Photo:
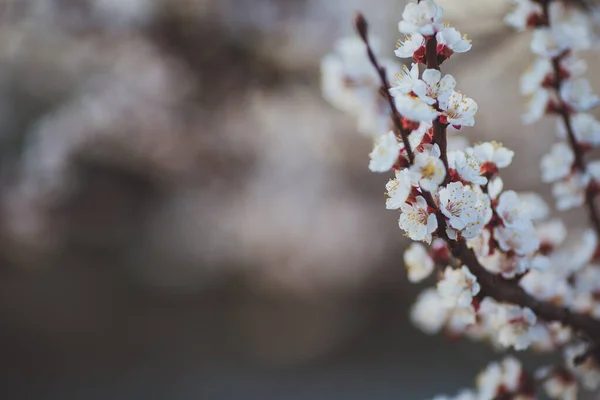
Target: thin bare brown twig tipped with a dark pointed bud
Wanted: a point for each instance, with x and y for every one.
(363, 30)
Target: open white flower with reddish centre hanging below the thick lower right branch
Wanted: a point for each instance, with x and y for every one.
(513, 326)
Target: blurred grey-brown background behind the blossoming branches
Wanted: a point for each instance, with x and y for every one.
(182, 216)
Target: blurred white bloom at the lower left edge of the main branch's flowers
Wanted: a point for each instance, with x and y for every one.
(429, 313)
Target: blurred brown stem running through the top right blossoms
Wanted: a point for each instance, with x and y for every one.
(563, 111)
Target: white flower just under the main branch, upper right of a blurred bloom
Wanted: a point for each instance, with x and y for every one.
(457, 287)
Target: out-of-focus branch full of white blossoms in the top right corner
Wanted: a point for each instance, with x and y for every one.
(555, 86)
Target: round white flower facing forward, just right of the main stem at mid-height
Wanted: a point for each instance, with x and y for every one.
(459, 205)
